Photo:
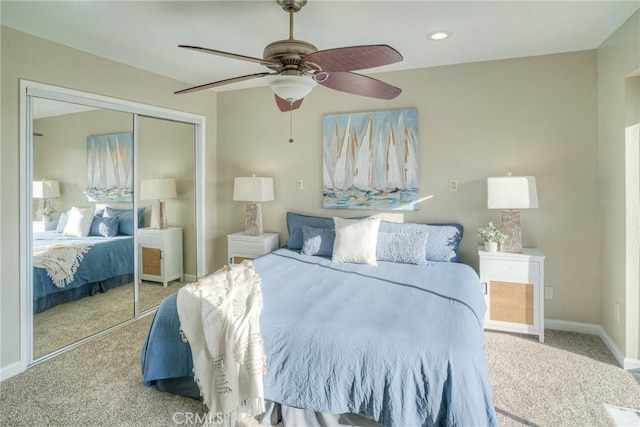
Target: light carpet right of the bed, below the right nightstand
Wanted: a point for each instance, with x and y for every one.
(564, 382)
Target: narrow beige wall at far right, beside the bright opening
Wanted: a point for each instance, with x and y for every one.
(618, 57)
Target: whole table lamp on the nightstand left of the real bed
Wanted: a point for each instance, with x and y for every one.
(253, 190)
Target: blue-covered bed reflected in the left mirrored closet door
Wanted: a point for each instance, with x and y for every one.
(107, 263)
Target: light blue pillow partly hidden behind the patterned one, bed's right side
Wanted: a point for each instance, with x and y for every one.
(443, 242)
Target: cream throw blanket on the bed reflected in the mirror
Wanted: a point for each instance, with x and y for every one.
(61, 261)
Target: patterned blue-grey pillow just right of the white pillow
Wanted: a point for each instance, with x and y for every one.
(406, 248)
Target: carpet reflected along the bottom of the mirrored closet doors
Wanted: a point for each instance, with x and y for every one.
(68, 323)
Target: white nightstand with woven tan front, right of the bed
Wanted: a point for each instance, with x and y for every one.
(514, 290)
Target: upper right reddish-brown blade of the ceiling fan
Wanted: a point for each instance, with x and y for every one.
(354, 57)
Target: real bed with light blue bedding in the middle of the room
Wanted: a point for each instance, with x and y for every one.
(400, 344)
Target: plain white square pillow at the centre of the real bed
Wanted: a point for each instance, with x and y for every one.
(356, 240)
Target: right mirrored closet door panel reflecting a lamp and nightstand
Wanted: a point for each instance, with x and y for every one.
(165, 169)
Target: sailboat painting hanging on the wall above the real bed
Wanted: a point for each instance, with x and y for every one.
(370, 160)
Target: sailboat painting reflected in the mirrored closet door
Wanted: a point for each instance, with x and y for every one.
(110, 168)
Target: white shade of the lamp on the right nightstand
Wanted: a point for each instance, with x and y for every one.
(512, 192)
